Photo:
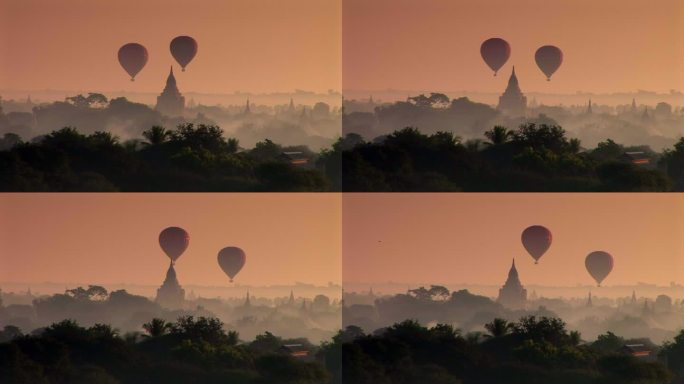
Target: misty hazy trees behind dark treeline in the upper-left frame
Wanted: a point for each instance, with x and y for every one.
(315, 126)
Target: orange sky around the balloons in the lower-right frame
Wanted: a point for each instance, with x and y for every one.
(471, 238)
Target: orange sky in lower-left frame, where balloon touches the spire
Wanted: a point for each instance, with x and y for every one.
(113, 238)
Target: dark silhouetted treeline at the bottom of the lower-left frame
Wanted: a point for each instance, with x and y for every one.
(191, 350)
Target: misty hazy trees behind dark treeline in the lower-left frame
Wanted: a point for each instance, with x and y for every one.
(315, 318)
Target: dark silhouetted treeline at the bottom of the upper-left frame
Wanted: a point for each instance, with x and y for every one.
(188, 158)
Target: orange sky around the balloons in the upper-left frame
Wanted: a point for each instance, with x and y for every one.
(246, 45)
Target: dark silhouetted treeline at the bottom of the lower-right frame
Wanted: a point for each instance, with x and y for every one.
(532, 350)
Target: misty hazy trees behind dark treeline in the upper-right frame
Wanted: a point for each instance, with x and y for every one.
(658, 125)
